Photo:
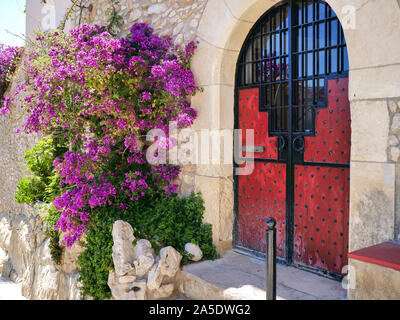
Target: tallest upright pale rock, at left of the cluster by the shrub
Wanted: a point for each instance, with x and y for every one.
(122, 250)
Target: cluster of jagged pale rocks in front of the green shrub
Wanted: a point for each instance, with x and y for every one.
(140, 274)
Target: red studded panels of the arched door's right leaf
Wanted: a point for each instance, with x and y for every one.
(321, 208)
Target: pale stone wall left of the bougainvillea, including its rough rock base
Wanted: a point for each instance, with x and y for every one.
(24, 248)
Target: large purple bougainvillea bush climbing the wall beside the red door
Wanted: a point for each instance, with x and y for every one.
(103, 94)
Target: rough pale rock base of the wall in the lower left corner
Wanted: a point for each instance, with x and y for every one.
(30, 263)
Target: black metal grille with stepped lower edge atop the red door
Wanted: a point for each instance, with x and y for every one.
(289, 54)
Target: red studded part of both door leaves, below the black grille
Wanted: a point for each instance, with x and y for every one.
(300, 179)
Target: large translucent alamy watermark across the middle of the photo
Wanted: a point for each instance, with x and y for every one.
(204, 147)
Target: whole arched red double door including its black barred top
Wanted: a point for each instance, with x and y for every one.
(292, 89)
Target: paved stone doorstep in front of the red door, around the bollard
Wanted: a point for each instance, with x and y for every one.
(243, 277)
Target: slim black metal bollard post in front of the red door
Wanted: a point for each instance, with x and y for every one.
(270, 261)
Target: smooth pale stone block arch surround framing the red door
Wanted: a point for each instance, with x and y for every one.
(373, 78)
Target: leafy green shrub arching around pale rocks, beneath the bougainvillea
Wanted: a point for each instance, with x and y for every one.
(163, 220)
